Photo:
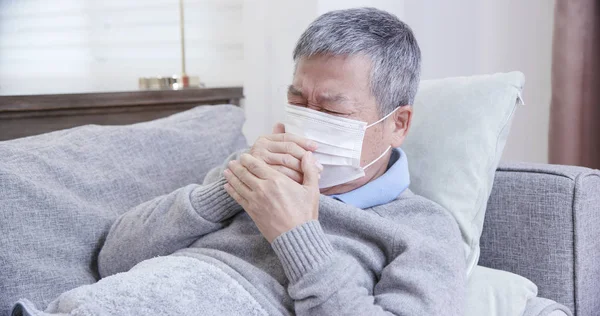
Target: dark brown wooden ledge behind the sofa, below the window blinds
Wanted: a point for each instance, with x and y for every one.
(28, 115)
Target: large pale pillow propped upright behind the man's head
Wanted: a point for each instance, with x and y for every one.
(458, 132)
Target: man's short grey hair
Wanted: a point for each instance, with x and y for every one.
(387, 41)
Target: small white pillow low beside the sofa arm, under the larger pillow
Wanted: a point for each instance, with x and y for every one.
(498, 293)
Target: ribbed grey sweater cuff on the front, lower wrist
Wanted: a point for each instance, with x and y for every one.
(302, 249)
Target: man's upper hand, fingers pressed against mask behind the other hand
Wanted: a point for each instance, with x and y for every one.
(283, 152)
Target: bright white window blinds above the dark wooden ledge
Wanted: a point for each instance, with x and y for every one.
(105, 45)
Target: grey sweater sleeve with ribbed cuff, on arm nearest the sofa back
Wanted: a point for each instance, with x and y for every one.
(167, 223)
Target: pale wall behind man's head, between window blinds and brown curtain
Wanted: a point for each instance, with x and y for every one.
(461, 37)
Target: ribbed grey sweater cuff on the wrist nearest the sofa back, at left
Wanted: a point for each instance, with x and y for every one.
(213, 203)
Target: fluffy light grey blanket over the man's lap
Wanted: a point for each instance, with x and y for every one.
(169, 285)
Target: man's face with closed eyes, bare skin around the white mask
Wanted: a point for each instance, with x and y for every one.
(340, 86)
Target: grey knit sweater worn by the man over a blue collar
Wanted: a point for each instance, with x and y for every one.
(402, 258)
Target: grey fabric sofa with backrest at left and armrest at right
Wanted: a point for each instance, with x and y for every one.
(60, 192)
